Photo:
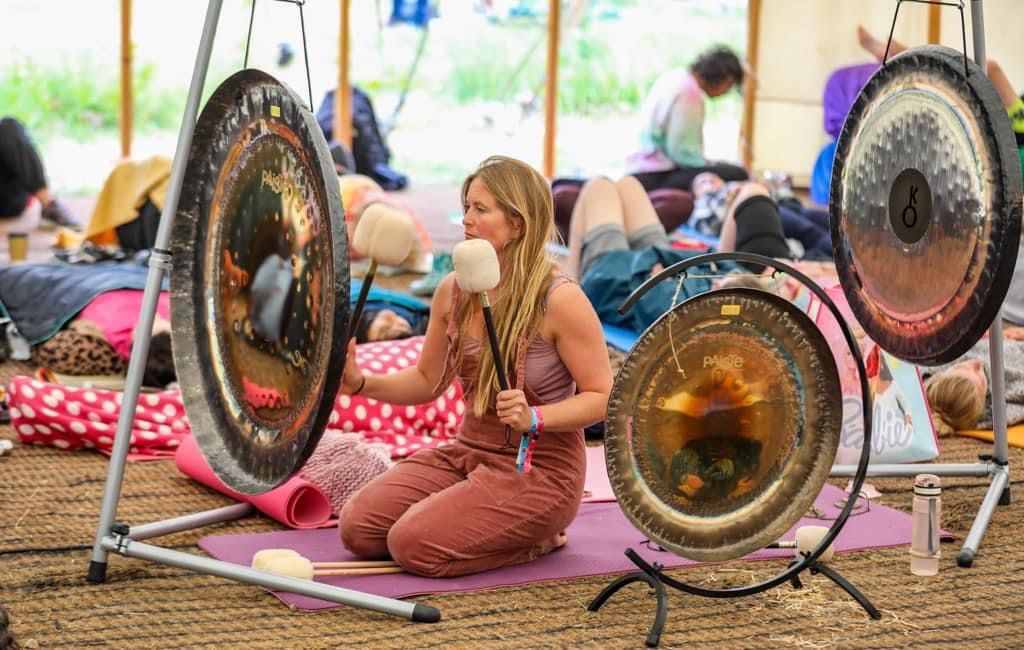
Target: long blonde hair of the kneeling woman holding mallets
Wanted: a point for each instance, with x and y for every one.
(525, 197)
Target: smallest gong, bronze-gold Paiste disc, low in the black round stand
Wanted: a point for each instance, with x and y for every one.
(721, 458)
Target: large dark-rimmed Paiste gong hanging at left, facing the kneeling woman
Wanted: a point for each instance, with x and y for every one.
(260, 284)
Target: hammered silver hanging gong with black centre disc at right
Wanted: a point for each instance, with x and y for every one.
(926, 206)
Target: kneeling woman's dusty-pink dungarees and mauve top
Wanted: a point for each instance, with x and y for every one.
(464, 508)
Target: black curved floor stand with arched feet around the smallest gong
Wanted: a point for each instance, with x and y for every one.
(653, 574)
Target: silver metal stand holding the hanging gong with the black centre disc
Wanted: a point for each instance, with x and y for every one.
(996, 466)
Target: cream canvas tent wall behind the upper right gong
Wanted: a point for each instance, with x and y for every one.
(798, 44)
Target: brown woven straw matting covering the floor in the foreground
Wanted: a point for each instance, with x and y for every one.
(50, 504)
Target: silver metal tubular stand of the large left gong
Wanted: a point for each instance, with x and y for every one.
(113, 537)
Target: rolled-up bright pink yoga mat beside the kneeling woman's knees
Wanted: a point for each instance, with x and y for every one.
(297, 503)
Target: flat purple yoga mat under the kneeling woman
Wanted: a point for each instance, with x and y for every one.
(598, 541)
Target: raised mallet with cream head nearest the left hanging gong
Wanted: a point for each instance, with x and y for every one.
(387, 237)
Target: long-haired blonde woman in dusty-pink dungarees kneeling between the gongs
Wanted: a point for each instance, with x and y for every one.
(467, 508)
